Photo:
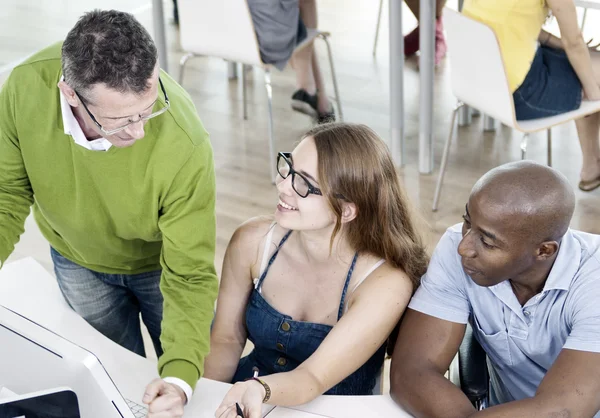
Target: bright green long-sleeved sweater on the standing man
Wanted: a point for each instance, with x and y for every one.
(122, 211)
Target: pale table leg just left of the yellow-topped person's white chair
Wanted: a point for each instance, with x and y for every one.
(427, 47)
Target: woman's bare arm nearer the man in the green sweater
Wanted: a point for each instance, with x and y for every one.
(228, 334)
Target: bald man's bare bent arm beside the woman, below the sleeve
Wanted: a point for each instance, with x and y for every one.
(425, 348)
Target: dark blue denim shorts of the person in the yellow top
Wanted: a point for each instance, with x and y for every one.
(550, 88)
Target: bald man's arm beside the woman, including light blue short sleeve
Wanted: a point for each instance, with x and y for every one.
(430, 335)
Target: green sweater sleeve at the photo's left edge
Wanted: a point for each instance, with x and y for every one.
(16, 196)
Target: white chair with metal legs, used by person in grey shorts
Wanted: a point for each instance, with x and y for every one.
(224, 29)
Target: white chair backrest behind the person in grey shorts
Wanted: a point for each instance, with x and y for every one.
(218, 28)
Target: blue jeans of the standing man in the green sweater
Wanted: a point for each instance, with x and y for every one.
(102, 301)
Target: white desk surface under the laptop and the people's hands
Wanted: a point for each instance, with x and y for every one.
(28, 289)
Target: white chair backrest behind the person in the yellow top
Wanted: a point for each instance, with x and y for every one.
(477, 69)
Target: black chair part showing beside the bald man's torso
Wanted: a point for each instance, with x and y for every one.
(473, 374)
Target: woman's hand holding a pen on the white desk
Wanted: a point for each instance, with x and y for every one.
(248, 395)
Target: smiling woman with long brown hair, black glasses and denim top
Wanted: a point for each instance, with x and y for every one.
(318, 288)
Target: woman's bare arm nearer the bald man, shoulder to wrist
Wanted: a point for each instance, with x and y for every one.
(375, 308)
